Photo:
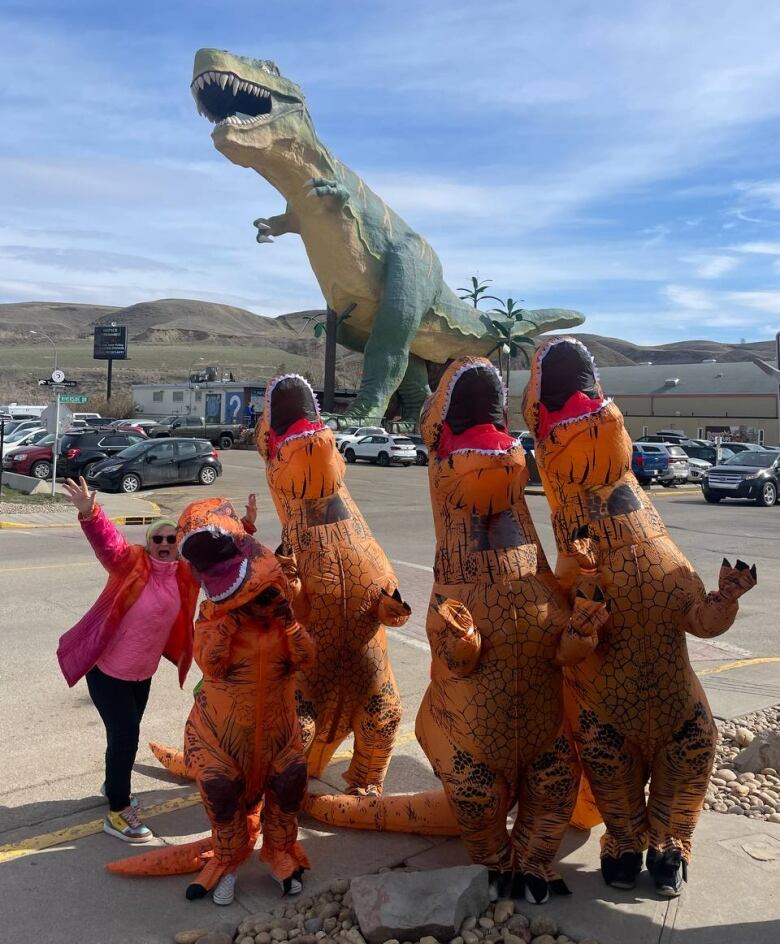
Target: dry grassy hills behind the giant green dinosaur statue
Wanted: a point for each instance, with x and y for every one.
(170, 336)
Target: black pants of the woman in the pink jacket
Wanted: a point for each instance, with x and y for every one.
(121, 705)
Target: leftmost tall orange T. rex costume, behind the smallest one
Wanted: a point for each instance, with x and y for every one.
(347, 591)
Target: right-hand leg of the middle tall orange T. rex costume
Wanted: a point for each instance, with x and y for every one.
(548, 791)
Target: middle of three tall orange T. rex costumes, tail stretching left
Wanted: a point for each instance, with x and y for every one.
(492, 720)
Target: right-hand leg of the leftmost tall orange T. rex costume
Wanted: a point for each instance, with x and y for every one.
(375, 724)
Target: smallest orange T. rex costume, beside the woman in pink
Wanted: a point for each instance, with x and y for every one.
(242, 739)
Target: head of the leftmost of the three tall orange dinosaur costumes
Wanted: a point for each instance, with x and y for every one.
(300, 452)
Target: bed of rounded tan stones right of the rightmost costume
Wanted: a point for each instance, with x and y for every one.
(746, 776)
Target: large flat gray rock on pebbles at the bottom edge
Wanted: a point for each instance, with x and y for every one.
(410, 905)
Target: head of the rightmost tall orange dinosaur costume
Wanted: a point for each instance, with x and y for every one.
(568, 415)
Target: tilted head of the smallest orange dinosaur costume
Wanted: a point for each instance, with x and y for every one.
(230, 566)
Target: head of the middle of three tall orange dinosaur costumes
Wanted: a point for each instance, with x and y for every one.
(471, 454)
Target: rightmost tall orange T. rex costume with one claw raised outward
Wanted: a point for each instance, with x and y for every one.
(639, 712)
